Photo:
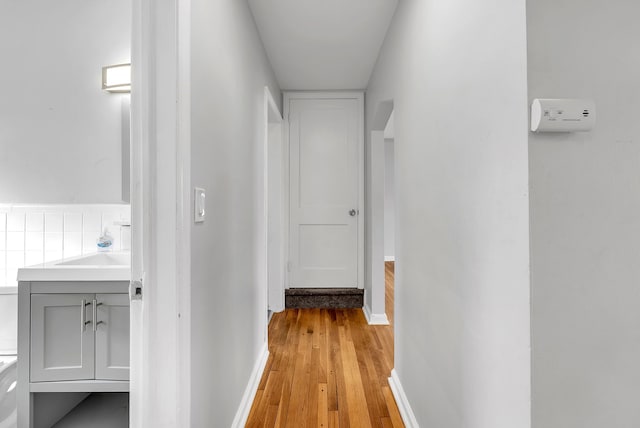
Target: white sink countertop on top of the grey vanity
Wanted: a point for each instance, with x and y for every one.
(109, 266)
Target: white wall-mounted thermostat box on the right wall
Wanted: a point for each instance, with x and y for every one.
(562, 115)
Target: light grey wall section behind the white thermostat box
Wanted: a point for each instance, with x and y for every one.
(585, 217)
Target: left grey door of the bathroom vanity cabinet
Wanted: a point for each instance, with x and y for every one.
(62, 340)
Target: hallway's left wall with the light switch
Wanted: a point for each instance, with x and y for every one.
(229, 72)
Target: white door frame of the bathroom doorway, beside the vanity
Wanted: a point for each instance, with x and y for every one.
(160, 378)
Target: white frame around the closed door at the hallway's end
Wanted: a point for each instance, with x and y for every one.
(359, 96)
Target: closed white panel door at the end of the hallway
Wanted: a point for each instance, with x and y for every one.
(324, 151)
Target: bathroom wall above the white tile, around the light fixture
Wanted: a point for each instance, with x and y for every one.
(60, 134)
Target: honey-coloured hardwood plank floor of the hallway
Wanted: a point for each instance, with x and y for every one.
(327, 368)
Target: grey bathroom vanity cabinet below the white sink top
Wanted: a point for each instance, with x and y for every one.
(73, 339)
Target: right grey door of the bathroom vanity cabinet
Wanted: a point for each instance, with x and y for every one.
(112, 336)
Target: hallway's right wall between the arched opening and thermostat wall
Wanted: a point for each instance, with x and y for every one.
(462, 289)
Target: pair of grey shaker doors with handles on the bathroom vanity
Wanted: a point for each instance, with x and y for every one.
(79, 337)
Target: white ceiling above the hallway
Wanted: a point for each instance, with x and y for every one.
(322, 44)
